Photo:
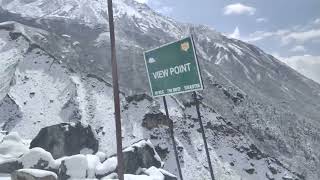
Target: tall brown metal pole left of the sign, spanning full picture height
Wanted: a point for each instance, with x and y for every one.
(116, 97)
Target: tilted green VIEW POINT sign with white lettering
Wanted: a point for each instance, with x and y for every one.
(173, 68)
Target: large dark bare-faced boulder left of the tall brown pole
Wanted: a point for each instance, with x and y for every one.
(66, 140)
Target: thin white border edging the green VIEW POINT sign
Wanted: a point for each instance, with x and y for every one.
(197, 66)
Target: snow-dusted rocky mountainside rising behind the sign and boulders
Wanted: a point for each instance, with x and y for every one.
(262, 117)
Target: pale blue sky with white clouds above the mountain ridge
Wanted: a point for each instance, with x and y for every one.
(287, 29)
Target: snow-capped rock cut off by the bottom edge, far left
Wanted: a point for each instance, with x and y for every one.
(33, 174)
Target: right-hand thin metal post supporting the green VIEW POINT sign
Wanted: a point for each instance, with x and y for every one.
(203, 134)
